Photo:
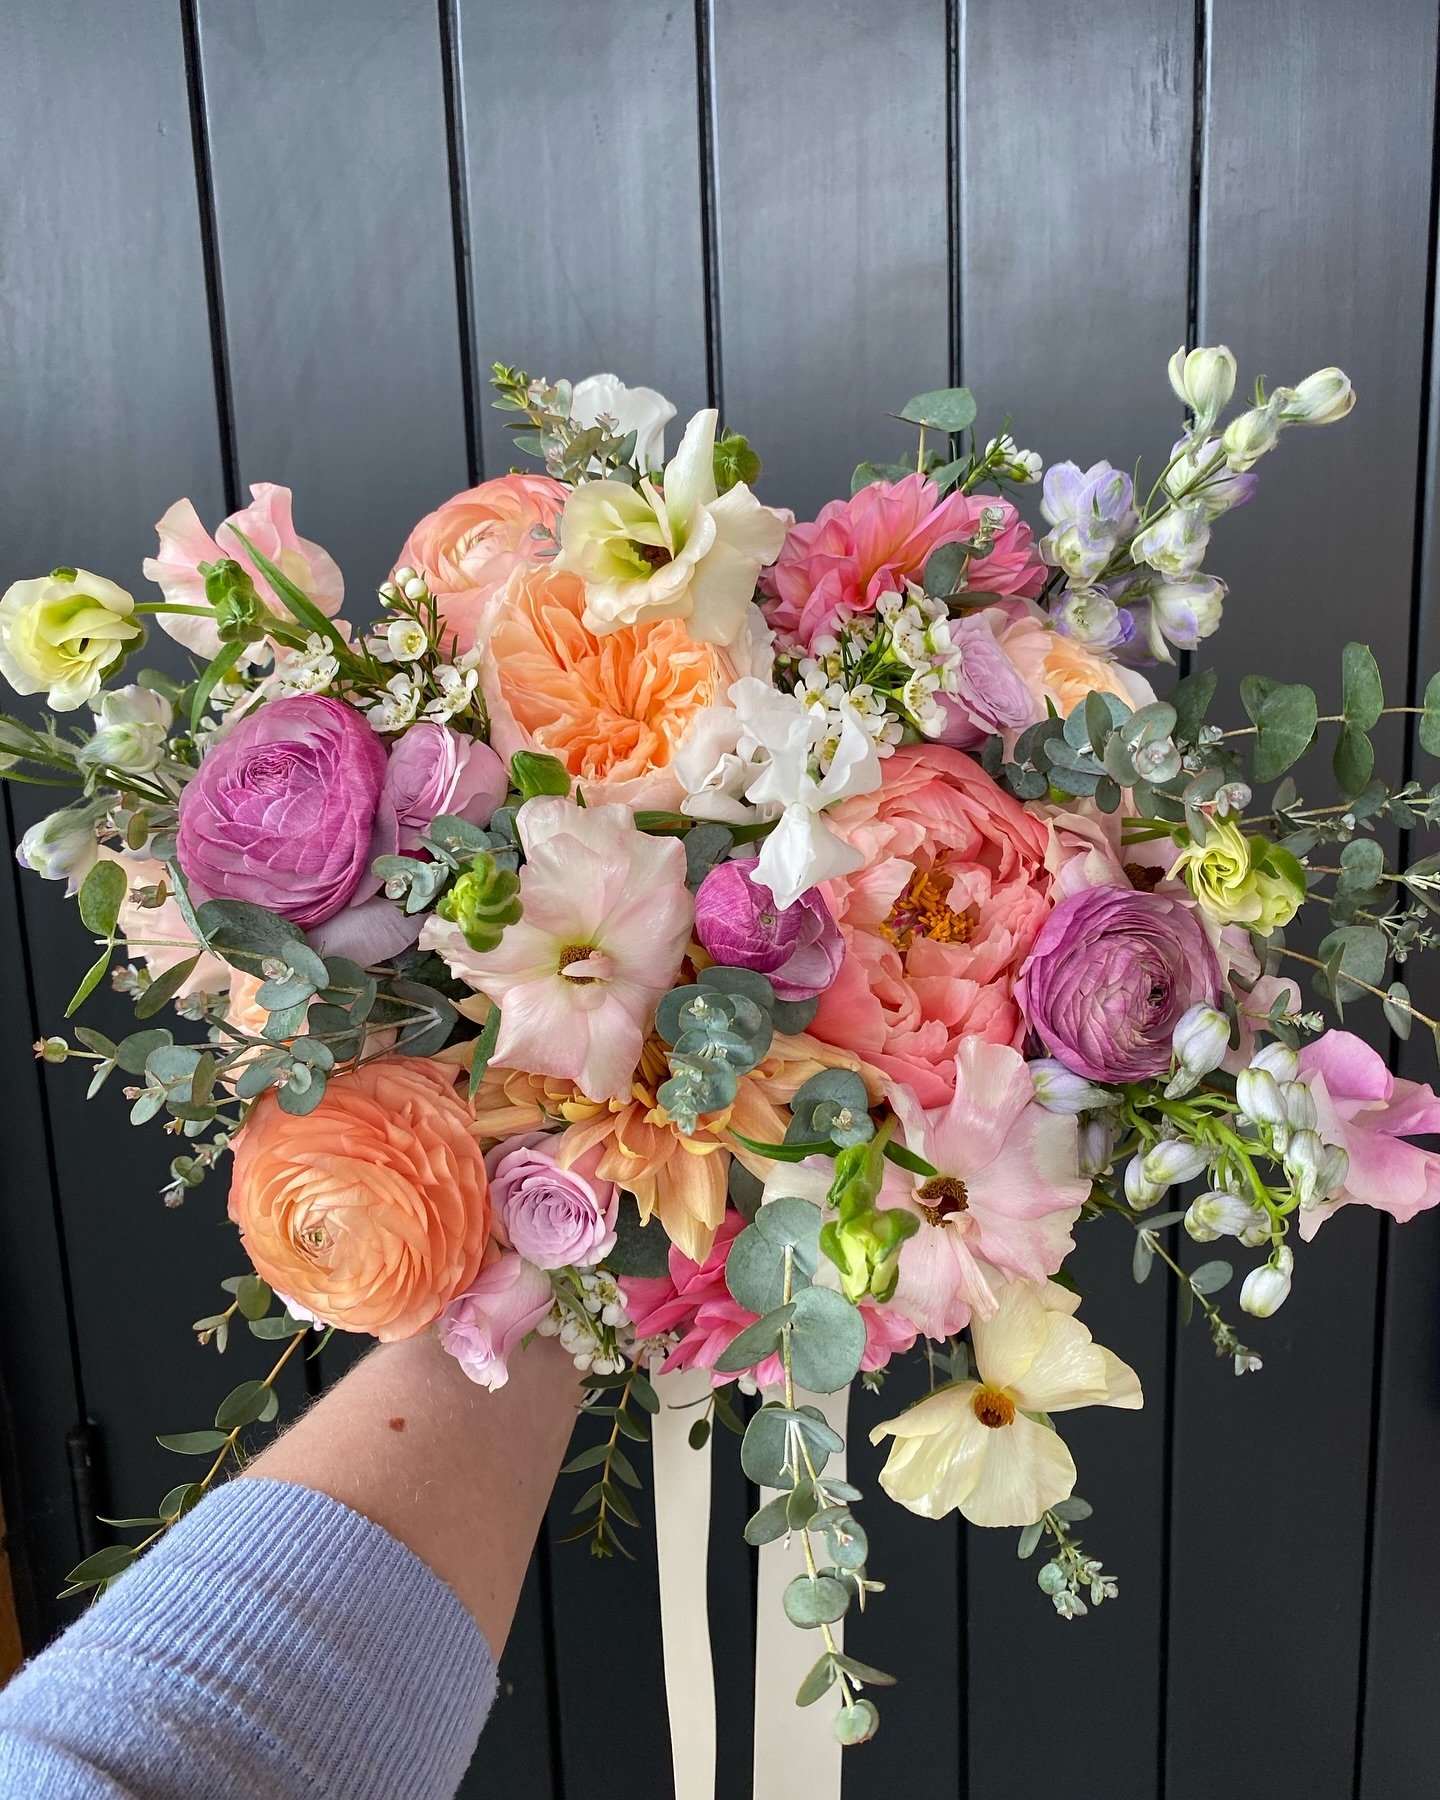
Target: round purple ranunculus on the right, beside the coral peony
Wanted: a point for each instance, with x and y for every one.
(1110, 978)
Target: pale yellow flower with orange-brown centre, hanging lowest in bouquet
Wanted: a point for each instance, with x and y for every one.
(971, 1448)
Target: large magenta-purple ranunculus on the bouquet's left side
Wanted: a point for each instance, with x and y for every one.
(283, 809)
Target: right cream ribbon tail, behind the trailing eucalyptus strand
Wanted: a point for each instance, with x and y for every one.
(796, 1750)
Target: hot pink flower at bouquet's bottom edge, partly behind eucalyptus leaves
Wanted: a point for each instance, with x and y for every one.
(694, 1302)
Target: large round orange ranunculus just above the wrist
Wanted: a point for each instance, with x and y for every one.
(373, 1210)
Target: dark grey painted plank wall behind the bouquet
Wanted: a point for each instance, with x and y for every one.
(285, 238)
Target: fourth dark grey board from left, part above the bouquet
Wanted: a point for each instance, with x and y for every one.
(832, 219)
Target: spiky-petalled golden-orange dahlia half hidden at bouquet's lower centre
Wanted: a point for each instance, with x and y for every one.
(679, 1178)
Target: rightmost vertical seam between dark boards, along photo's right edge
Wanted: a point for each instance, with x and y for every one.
(1421, 564)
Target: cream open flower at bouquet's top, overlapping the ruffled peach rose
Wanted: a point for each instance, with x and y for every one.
(678, 552)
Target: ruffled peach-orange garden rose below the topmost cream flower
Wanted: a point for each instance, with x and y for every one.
(613, 708)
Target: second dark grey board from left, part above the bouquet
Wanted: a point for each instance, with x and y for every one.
(332, 201)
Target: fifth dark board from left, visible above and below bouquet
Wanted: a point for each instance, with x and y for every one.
(1074, 256)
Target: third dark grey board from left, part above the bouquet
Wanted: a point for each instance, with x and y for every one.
(584, 195)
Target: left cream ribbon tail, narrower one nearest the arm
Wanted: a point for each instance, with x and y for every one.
(683, 1556)
